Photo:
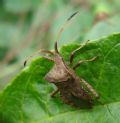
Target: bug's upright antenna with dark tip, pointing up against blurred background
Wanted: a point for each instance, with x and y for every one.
(62, 29)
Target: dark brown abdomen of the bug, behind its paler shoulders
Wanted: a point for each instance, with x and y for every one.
(74, 95)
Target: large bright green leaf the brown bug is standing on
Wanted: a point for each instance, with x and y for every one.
(27, 98)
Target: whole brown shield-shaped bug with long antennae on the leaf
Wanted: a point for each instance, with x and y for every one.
(74, 90)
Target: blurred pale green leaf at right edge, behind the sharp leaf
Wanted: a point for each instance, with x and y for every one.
(104, 28)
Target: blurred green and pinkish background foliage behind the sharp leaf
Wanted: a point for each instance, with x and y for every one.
(29, 25)
